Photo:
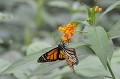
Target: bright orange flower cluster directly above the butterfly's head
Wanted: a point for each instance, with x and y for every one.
(68, 31)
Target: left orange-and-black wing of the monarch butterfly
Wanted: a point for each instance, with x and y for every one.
(51, 55)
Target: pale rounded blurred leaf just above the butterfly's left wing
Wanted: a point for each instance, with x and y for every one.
(37, 46)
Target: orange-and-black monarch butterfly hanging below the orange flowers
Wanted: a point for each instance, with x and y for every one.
(62, 52)
